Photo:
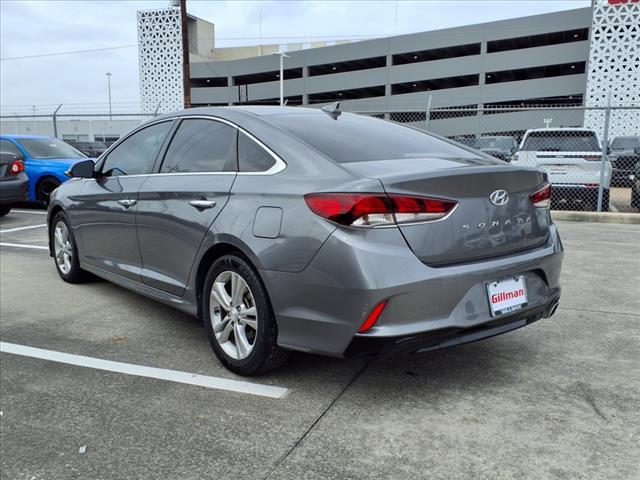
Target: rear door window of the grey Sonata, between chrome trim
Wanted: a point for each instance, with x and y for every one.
(202, 145)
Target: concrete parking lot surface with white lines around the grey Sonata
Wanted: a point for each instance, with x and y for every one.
(558, 399)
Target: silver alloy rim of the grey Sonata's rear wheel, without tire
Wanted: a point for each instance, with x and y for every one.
(234, 317)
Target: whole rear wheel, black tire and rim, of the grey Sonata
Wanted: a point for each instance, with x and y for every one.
(242, 330)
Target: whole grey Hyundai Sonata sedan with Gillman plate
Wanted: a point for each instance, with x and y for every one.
(303, 229)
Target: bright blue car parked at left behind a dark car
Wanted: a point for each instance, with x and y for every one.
(45, 161)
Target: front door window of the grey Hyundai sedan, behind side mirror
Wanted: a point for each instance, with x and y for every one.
(137, 154)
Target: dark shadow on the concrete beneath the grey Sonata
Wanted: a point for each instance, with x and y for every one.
(488, 364)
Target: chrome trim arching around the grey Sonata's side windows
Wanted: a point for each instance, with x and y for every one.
(278, 167)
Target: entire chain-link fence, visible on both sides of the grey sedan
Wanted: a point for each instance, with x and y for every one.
(590, 154)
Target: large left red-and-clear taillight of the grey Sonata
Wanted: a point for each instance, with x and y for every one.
(377, 209)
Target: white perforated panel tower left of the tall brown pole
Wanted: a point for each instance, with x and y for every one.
(160, 59)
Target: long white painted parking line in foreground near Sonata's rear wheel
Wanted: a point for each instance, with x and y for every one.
(143, 371)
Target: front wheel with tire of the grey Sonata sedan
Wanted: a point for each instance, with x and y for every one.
(65, 251)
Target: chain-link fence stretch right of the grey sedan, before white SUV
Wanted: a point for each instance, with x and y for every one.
(591, 155)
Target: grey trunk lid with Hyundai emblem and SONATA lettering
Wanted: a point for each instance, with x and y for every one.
(477, 229)
